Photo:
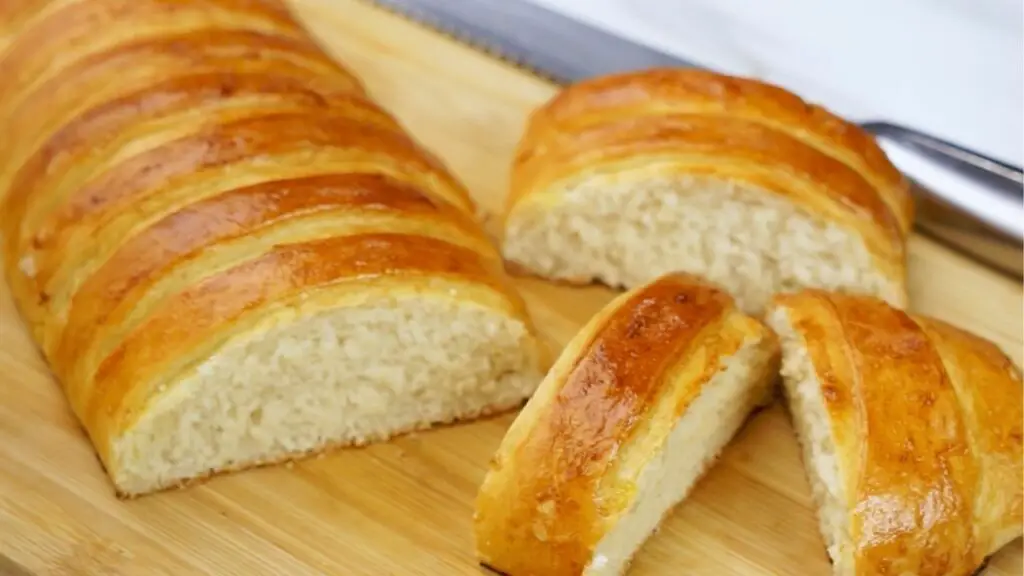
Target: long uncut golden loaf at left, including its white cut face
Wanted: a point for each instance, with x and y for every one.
(229, 254)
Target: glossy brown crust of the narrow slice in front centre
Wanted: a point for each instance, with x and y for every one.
(568, 467)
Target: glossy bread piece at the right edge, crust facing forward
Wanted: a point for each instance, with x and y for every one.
(912, 435)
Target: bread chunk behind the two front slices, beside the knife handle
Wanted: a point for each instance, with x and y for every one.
(625, 178)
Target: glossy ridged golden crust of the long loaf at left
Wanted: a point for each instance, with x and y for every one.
(173, 171)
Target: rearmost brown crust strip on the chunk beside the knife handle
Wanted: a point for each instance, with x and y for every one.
(653, 94)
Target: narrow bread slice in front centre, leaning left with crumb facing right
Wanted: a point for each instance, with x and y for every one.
(635, 410)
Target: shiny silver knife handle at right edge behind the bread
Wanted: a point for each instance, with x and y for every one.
(966, 199)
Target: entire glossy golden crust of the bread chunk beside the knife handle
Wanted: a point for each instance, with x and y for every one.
(722, 127)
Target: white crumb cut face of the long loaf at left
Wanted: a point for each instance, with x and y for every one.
(344, 377)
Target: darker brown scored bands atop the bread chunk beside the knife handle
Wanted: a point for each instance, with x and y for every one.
(620, 102)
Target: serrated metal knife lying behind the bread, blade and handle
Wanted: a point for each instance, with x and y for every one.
(965, 199)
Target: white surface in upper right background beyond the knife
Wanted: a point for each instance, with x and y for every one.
(954, 68)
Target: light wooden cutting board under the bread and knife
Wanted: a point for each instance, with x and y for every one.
(405, 508)
